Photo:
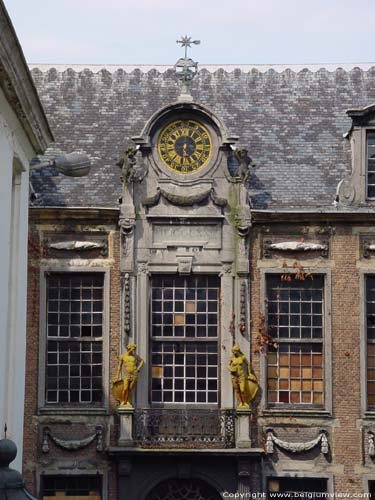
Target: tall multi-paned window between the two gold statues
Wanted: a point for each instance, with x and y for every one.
(184, 339)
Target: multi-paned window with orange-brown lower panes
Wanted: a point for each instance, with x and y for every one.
(295, 319)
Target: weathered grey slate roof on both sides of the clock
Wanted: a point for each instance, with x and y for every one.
(292, 120)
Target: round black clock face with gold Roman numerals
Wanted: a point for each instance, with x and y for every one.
(184, 146)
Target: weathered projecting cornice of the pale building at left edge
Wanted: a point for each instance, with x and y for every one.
(18, 86)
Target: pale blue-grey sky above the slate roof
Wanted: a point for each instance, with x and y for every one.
(231, 31)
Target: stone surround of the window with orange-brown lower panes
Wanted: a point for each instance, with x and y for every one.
(327, 343)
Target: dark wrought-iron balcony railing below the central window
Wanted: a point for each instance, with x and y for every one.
(184, 428)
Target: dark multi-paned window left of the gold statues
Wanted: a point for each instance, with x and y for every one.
(74, 338)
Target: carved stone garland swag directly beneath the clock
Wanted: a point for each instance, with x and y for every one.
(182, 199)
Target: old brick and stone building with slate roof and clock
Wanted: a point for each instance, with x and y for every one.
(240, 213)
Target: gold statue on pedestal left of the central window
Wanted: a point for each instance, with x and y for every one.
(122, 388)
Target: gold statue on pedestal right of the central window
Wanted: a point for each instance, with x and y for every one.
(244, 382)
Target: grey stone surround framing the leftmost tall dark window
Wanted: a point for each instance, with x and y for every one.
(77, 408)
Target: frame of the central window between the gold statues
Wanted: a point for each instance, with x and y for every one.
(203, 340)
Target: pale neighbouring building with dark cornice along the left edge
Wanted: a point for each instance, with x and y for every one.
(24, 133)
